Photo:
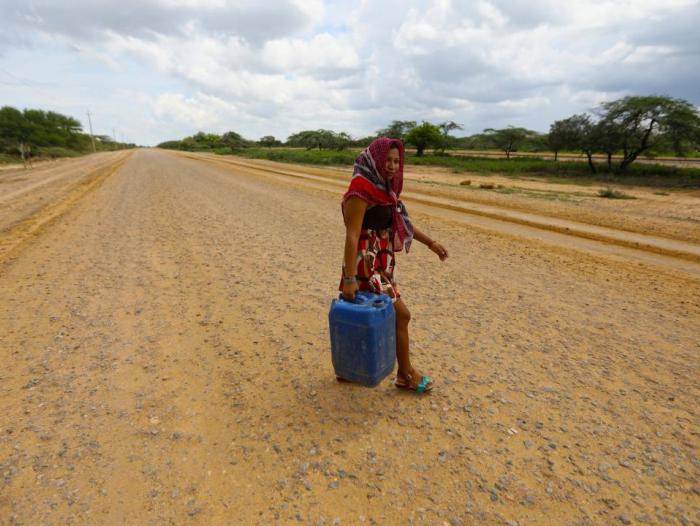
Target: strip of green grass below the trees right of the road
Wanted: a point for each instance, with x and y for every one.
(565, 172)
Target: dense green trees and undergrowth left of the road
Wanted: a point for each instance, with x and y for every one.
(37, 133)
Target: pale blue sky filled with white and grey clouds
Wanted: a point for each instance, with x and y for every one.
(155, 70)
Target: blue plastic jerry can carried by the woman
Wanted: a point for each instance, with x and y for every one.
(363, 338)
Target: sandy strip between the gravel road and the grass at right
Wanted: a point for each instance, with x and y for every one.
(668, 213)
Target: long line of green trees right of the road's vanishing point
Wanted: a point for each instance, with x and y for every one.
(624, 129)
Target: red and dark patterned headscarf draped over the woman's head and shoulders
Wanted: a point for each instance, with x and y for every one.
(370, 183)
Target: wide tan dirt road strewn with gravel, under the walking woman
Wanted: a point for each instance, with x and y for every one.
(165, 360)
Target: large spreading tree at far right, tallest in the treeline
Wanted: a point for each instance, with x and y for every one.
(642, 121)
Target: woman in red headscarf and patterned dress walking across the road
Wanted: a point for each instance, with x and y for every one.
(377, 226)
